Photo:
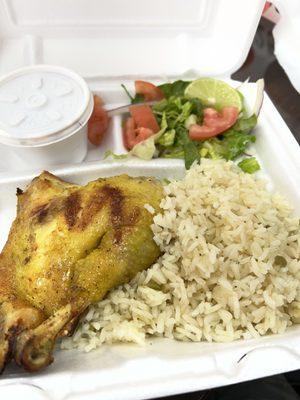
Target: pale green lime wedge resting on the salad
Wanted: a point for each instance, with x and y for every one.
(214, 93)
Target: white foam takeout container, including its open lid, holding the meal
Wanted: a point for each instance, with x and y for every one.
(163, 366)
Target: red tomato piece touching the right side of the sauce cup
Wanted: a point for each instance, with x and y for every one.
(98, 122)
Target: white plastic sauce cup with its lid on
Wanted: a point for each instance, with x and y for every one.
(44, 111)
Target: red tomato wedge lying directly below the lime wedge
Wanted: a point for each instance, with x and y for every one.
(214, 123)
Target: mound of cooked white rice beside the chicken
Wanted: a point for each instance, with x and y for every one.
(230, 267)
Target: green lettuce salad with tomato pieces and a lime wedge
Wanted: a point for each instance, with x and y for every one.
(189, 120)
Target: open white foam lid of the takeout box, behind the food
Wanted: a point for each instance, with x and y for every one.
(134, 38)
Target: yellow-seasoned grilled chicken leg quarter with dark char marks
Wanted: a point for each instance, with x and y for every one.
(68, 246)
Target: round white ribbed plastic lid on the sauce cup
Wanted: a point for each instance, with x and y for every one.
(38, 104)
